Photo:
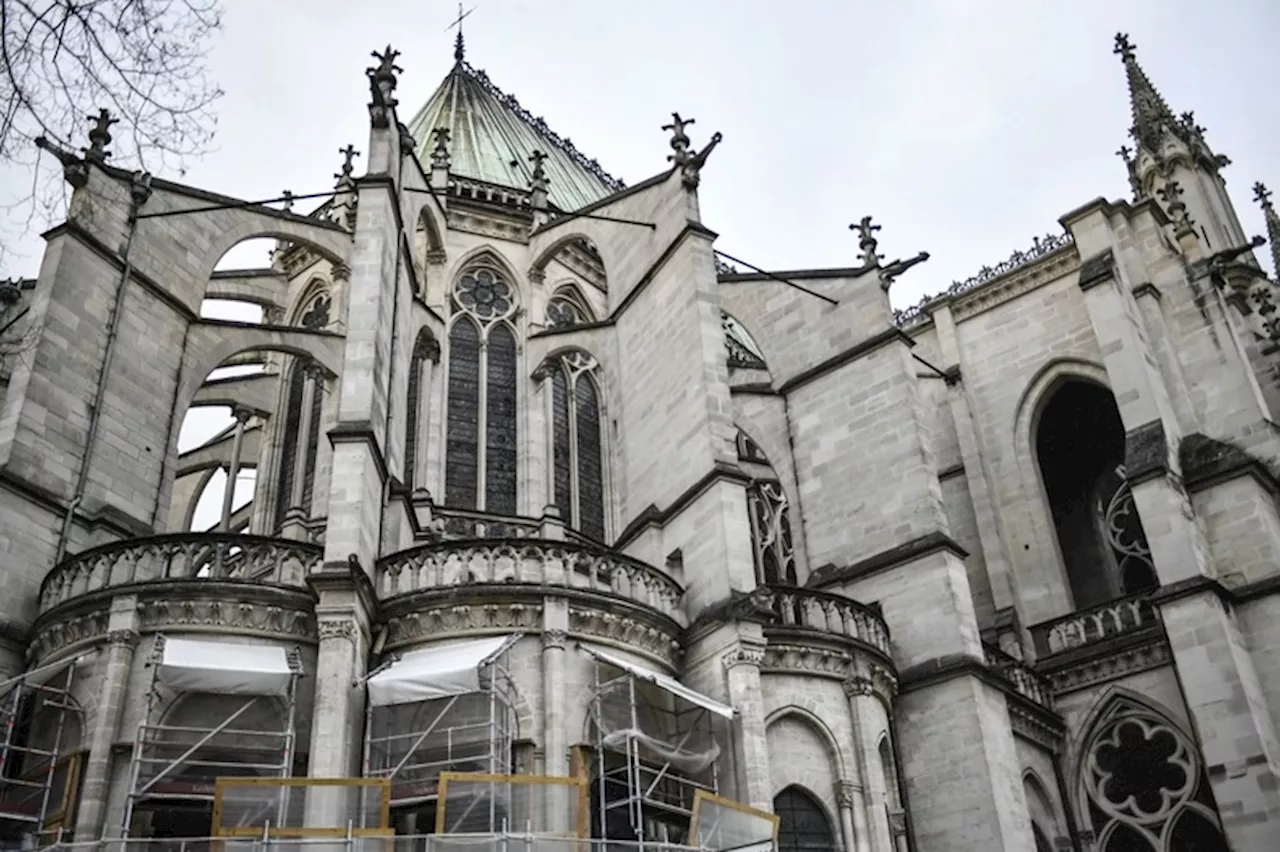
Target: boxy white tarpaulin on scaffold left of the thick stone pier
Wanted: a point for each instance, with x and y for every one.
(228, 668)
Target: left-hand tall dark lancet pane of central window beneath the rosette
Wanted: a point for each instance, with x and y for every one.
(461, 446)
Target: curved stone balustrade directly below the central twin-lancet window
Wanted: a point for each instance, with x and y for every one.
(529, 562)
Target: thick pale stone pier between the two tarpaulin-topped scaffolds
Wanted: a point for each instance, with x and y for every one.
(345, 603)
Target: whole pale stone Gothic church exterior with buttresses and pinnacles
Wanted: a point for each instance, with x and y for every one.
(925, 580)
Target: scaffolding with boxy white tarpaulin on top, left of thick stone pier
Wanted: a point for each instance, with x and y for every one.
(175, 768)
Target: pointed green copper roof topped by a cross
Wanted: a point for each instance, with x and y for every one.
(492, 138)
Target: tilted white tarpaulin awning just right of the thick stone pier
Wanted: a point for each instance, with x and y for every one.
(436, 672)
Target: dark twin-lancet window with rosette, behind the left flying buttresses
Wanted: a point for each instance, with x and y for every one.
(300, 436)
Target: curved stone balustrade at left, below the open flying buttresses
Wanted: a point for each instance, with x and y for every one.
(189, 556)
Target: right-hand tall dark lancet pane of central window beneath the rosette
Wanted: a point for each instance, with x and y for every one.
(501, 423)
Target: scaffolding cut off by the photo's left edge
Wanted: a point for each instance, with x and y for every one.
(38, 781)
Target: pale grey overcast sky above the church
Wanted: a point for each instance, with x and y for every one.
(964, 127)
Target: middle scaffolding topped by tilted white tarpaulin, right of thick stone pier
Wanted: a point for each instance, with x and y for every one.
(442, 709)
